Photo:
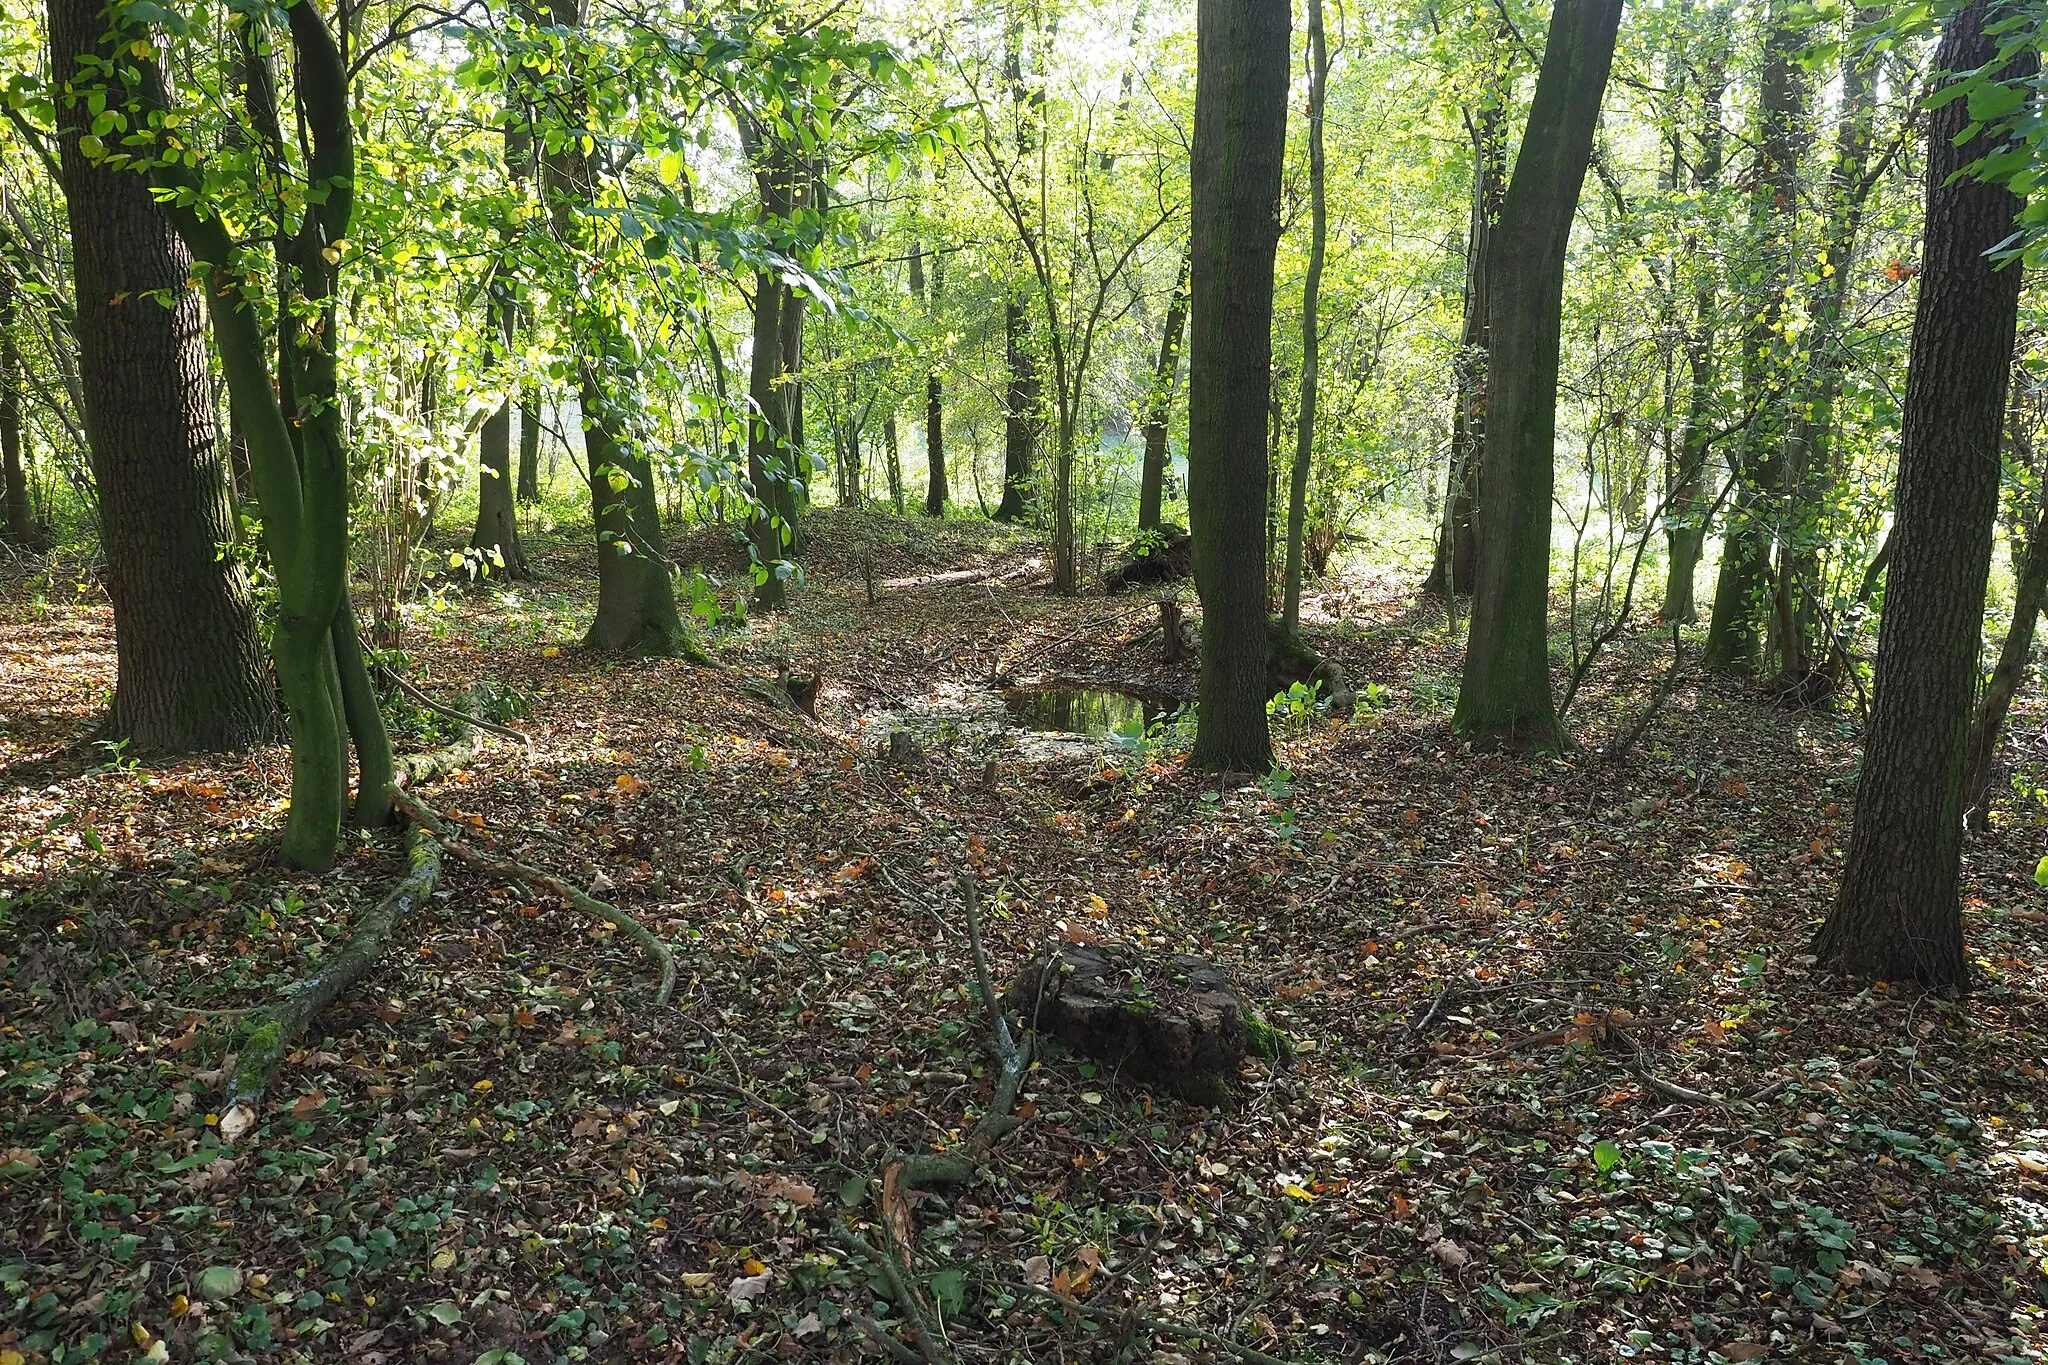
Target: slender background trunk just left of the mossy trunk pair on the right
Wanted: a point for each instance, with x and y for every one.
(1689, 513)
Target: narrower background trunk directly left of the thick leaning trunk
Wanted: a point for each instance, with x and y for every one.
(1457, 547)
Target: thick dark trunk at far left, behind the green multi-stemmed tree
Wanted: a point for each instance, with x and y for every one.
(191, 666)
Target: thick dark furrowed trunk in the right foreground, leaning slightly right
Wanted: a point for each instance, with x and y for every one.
(1900, 912)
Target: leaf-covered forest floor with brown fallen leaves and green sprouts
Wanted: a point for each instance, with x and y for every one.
(1568, 1088)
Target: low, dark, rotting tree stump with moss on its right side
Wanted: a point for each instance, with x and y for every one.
(1177, 1024)
